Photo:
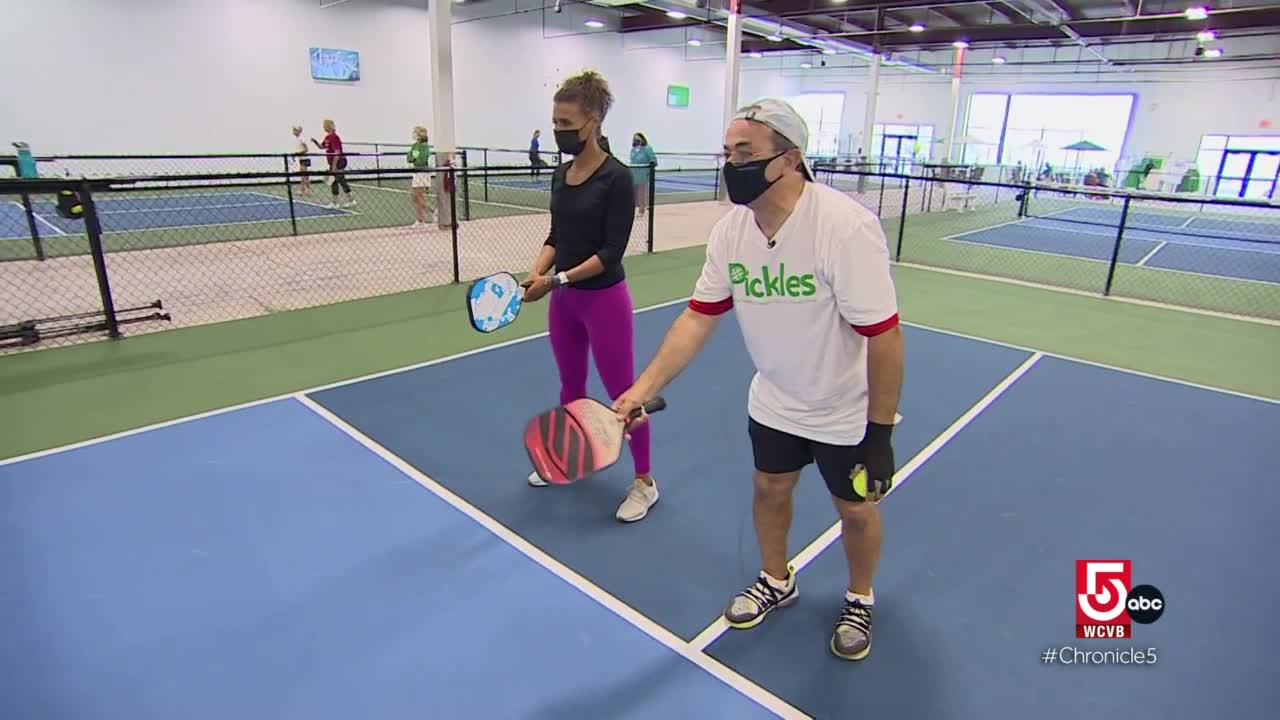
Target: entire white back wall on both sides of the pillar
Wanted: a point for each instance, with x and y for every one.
(232, 76)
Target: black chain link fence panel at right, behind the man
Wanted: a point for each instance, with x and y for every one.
(1181, 250)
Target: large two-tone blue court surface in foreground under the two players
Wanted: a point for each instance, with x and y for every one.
(373, 550)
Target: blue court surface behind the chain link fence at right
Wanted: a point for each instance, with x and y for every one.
(1244, 249)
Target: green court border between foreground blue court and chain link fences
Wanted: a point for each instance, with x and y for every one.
(66, 395)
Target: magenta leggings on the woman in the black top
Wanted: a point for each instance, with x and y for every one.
(600, 321)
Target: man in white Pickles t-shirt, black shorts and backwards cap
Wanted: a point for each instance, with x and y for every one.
(808, 272)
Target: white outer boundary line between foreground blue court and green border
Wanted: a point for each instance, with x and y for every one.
(390, 372)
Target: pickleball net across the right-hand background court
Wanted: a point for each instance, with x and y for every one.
(1171, 218)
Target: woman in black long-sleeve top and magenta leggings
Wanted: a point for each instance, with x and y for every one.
(591, 313)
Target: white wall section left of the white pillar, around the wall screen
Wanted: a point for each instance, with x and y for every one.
(200, 76)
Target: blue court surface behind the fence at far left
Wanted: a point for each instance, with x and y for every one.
(126, 213)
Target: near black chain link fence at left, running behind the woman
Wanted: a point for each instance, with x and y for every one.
(93, 258)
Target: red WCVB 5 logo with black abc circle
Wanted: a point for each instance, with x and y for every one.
(1107, 601)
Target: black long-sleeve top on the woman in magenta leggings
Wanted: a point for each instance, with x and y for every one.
(593, 218)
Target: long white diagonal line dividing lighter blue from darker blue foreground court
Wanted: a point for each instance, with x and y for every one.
(623, 610)
